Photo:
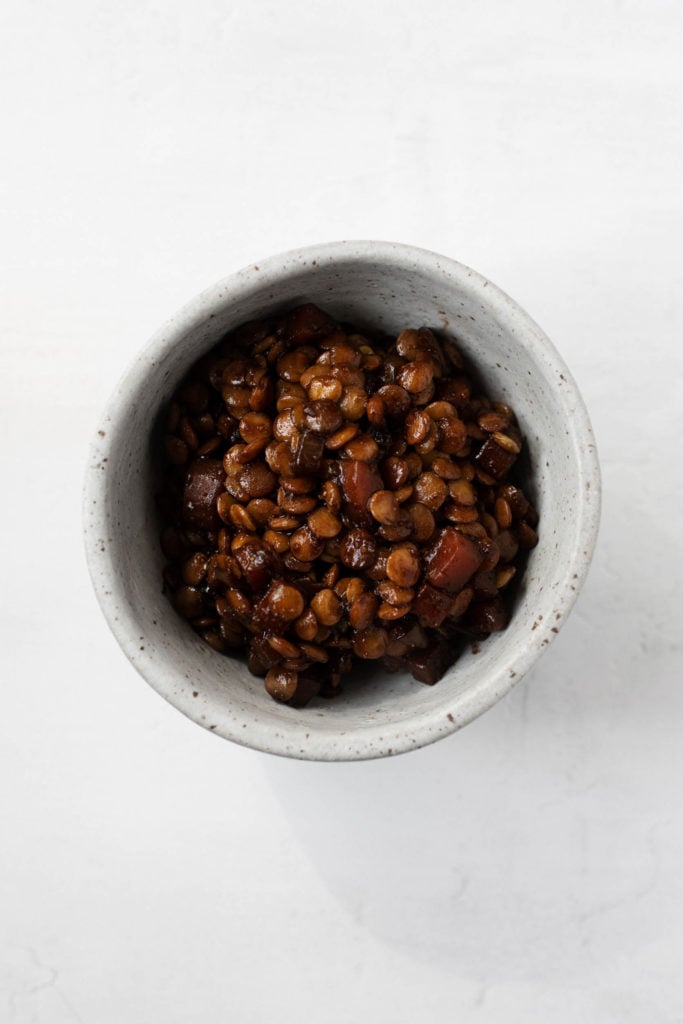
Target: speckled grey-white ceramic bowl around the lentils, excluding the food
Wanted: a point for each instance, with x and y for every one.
(372, 283)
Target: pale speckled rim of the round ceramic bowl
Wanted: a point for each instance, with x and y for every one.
(399, 737)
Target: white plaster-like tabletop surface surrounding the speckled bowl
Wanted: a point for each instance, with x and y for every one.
(527, 870)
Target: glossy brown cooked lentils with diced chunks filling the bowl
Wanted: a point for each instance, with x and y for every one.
(331, 496)
